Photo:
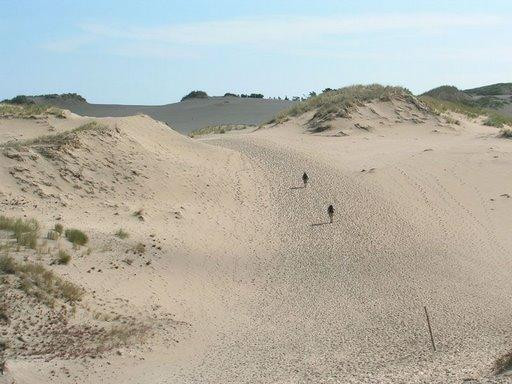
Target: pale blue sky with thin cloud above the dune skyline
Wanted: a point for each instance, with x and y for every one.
(154, 52)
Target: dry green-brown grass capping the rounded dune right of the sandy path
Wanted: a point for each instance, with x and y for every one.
(339, 102)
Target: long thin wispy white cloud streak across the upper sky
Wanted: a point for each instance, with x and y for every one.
(286, 29)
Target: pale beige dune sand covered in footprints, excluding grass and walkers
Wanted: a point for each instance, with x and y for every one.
(247, 282)
